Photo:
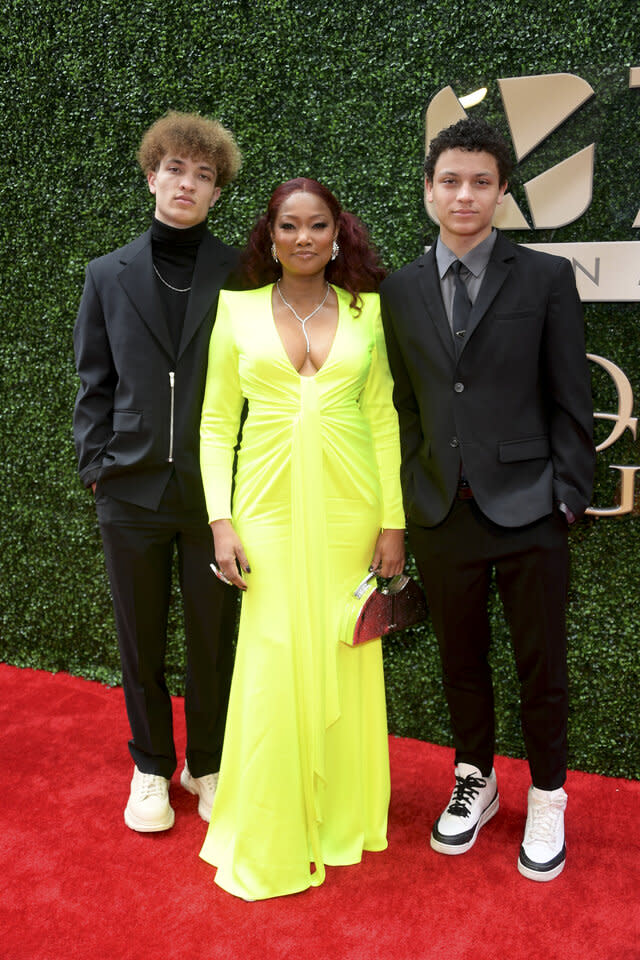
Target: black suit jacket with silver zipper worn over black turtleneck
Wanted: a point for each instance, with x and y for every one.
(137, 411)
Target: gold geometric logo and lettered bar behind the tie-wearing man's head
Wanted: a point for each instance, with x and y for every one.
(535, 106)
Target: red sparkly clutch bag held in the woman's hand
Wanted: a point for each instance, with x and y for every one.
(374, 611)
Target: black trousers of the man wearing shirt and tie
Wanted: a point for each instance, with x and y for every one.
(456, 560)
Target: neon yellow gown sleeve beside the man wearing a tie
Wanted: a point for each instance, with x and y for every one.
(376, 403)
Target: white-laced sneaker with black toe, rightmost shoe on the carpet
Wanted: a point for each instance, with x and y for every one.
(543, 851)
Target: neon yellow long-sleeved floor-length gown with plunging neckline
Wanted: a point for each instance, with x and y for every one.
(304, 778)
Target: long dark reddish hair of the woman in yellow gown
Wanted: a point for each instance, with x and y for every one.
(357, 267)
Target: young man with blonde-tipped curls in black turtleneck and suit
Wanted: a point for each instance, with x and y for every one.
(141, 341)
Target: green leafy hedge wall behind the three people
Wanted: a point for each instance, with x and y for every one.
(338, 91)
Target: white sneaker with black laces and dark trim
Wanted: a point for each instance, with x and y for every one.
(474, 801)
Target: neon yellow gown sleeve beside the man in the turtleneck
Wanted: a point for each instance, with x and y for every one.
(221, 412)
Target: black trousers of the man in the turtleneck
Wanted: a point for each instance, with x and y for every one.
(139, 547)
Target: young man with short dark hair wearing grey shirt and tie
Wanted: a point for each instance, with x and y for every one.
(492, 388)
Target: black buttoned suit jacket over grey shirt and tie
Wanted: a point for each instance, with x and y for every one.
(514, 405)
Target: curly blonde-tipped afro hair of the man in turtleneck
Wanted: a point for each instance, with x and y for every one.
(194, 136)
